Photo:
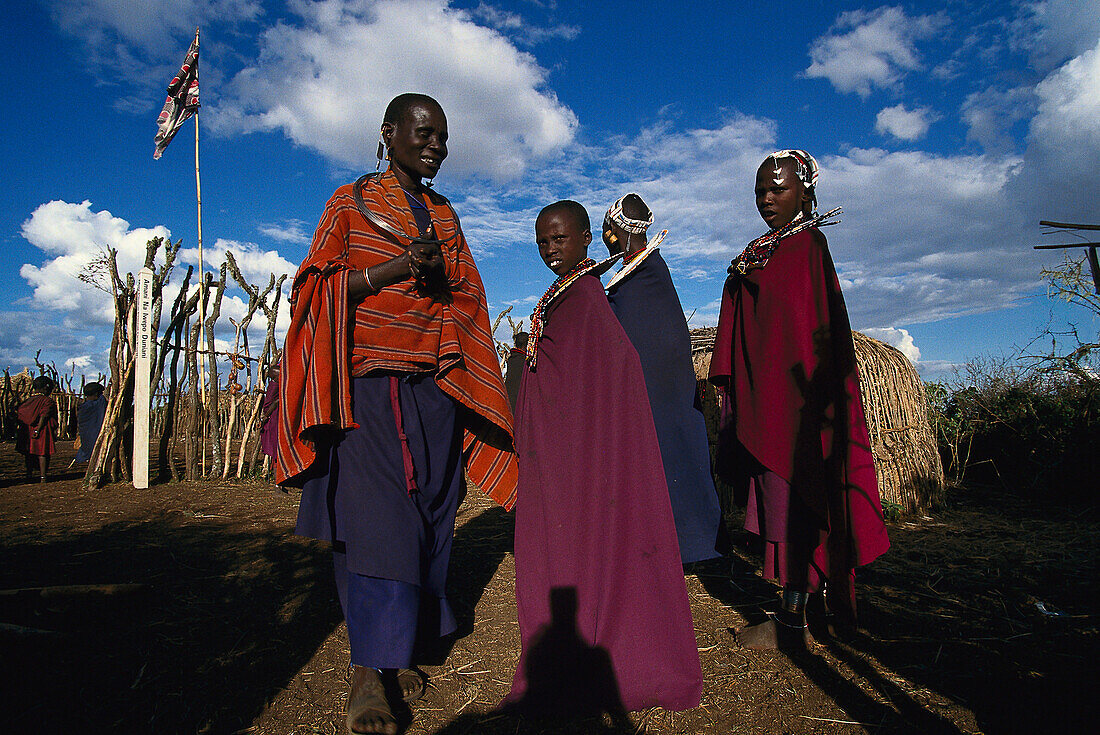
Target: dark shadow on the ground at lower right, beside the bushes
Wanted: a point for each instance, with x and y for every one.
(952, 609)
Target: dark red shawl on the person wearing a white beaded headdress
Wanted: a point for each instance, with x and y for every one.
(784, 357)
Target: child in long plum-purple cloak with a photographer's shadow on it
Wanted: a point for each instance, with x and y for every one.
(604, 619)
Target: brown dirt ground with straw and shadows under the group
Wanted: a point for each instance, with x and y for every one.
(982, 620)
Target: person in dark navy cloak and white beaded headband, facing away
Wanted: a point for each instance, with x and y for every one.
(644, 299)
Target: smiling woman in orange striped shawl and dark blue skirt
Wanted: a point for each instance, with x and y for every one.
(390, 388)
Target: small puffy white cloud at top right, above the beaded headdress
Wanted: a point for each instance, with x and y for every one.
(868, 49)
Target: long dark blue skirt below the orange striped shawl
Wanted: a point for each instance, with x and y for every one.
(392, 547)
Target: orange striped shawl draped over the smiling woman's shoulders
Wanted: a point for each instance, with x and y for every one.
(393, 331)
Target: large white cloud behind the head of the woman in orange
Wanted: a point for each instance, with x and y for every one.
(325, 85)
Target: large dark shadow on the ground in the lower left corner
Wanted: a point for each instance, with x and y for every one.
(225, 618)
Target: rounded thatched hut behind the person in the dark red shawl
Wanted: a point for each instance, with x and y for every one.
(907, 458)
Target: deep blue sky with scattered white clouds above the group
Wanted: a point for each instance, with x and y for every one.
(947, 130)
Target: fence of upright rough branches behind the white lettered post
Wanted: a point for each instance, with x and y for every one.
(190, 440)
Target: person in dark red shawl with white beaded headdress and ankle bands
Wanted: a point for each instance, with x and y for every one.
(795, 434)
